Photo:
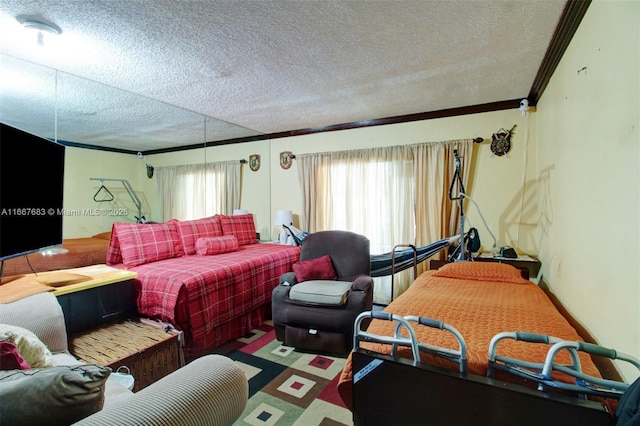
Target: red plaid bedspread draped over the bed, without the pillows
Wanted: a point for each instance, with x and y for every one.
(201, 293)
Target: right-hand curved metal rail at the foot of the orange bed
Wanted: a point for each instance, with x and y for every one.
(541, 373)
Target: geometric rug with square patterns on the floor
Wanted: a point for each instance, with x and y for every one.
(287, 387)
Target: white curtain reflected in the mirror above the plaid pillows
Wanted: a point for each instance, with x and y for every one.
(198, 190)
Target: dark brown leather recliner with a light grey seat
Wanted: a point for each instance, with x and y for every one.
(318, 314)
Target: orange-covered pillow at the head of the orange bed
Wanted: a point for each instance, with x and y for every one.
(481, 271)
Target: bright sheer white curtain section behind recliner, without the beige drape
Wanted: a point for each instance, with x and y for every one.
(364, 191)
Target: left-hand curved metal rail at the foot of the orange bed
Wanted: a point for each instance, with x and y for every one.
(458, 356)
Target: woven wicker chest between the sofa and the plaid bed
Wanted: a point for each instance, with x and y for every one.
(148, 351)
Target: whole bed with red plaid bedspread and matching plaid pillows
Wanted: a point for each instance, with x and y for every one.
(213, 298)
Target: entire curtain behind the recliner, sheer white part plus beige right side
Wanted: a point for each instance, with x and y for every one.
(393, 195)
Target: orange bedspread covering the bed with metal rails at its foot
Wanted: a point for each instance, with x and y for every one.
(480, 300)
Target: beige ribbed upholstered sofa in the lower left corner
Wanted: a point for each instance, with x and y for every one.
(210, 390)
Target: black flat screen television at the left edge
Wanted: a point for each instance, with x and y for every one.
(31, 192)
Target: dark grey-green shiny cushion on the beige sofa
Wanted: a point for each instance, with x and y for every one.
(52, 396)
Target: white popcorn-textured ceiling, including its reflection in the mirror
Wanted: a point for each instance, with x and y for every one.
(271, 66)
